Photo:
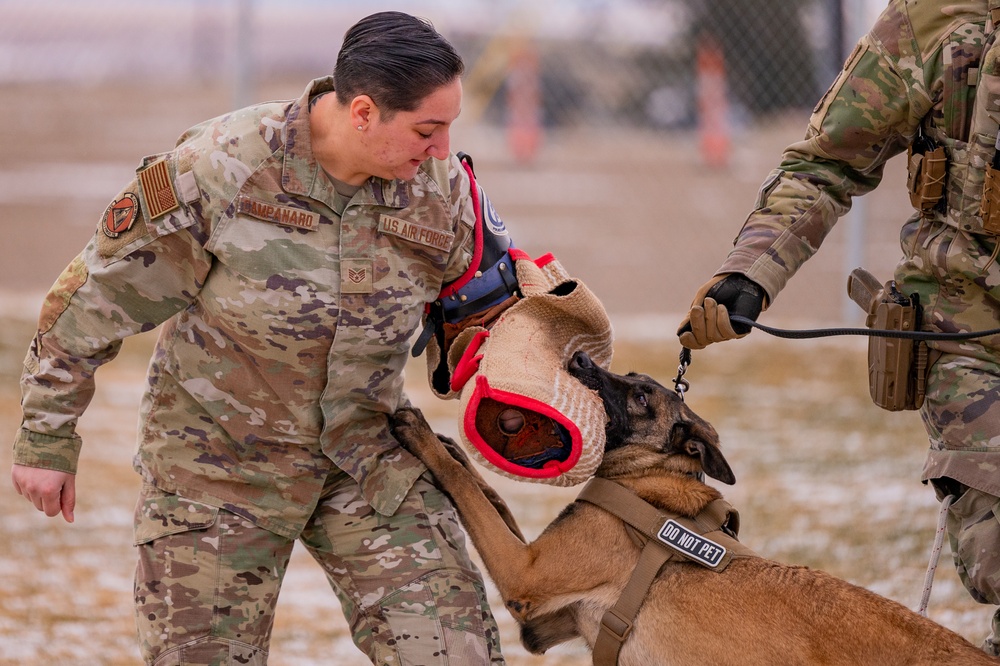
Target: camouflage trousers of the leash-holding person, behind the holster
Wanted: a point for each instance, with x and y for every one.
(958, 283)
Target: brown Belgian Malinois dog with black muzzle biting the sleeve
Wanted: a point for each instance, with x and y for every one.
(755, 611)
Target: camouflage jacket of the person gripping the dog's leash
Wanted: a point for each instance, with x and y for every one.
(918, 67)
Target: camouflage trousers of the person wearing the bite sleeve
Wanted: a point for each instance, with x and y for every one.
(207, 581)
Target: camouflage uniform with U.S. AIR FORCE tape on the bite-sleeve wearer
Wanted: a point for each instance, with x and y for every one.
(286, 312)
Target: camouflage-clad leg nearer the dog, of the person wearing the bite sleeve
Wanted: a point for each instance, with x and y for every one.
(409, 590)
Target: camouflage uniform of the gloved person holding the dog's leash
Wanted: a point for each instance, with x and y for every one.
(925, 67)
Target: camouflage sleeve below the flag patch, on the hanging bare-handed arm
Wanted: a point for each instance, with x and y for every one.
(100, 299)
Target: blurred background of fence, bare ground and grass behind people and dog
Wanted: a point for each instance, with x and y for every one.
(627, 137)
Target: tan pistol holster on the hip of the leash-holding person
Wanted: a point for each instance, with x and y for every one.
(897, 368)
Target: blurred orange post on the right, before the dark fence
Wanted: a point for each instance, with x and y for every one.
(713, 105)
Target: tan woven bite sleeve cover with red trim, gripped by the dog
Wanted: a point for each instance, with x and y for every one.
(522, 414)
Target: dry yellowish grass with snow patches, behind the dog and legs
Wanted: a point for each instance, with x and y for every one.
(825, 479)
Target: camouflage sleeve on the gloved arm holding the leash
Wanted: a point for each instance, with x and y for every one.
(870, 113)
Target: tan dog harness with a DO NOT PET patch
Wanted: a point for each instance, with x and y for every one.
(708, 539)
